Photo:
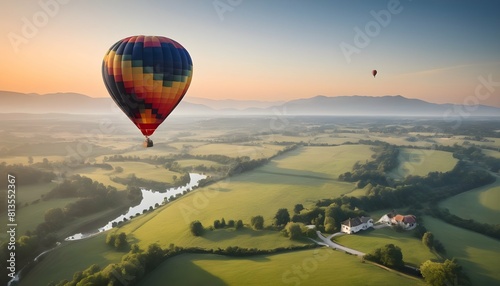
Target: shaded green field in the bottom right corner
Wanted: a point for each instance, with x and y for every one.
(478, 254)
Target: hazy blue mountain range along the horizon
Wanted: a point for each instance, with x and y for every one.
(356, 105)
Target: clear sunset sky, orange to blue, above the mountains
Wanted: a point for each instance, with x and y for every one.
(437, 51)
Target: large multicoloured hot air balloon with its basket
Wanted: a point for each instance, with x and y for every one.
(147, 76)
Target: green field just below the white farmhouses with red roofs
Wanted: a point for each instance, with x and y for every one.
(414, 252)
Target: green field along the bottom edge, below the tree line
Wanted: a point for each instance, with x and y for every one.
(309, 267)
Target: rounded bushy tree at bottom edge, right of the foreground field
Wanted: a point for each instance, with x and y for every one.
(437, 274)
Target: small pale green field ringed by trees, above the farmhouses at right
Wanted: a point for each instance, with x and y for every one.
(417, 162)
